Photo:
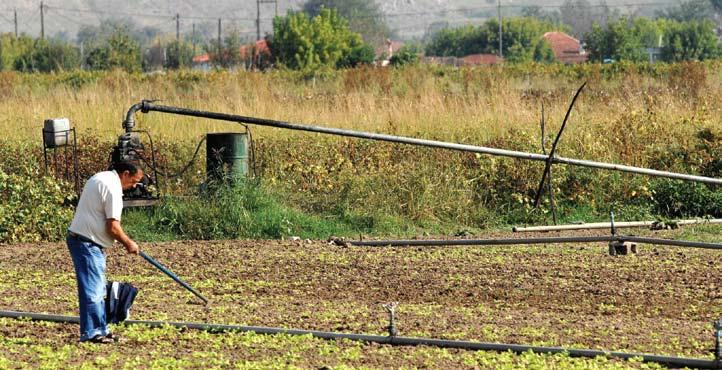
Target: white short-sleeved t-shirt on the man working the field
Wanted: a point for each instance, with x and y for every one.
(102, 198)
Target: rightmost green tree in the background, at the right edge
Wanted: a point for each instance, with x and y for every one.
(695, 40)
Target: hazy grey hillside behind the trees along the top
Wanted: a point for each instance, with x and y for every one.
(407, 18)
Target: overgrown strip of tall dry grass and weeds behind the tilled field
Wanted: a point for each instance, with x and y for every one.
(659, 116)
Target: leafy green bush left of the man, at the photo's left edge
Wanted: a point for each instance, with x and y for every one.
(33, 207)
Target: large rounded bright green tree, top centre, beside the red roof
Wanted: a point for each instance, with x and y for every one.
(300, 42)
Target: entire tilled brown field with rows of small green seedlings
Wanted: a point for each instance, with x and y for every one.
(662, 300)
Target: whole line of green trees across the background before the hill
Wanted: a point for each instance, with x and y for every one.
(322, 38)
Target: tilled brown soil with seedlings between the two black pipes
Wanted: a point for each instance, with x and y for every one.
(662, 300)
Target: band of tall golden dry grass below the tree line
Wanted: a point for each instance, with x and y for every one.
(467, 105)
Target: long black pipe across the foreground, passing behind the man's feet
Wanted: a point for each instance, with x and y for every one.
(398, 341)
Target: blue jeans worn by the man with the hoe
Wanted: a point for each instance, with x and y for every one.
(89, 262)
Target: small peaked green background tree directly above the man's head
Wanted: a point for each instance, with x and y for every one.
(120, 51)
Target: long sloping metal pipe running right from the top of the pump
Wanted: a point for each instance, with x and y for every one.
(146, 106)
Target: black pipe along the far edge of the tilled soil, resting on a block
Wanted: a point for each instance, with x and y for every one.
(522, 241)
